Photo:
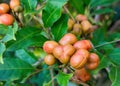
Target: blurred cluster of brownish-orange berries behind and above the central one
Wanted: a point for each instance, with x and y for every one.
(80, 26)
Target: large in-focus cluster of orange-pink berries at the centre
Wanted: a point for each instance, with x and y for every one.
(70, 50)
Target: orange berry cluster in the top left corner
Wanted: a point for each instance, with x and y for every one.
(5, 17)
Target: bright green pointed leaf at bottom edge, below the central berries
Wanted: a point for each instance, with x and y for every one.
(63, 78)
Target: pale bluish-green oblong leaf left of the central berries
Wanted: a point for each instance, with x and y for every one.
(25, 56)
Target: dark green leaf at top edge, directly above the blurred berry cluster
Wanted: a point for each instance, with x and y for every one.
(78, 5)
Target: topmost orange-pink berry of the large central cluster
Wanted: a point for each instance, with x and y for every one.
(68, 38)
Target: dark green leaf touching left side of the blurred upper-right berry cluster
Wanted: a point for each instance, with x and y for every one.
(60, 27)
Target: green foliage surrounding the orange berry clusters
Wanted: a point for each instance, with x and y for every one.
(21, 53)
